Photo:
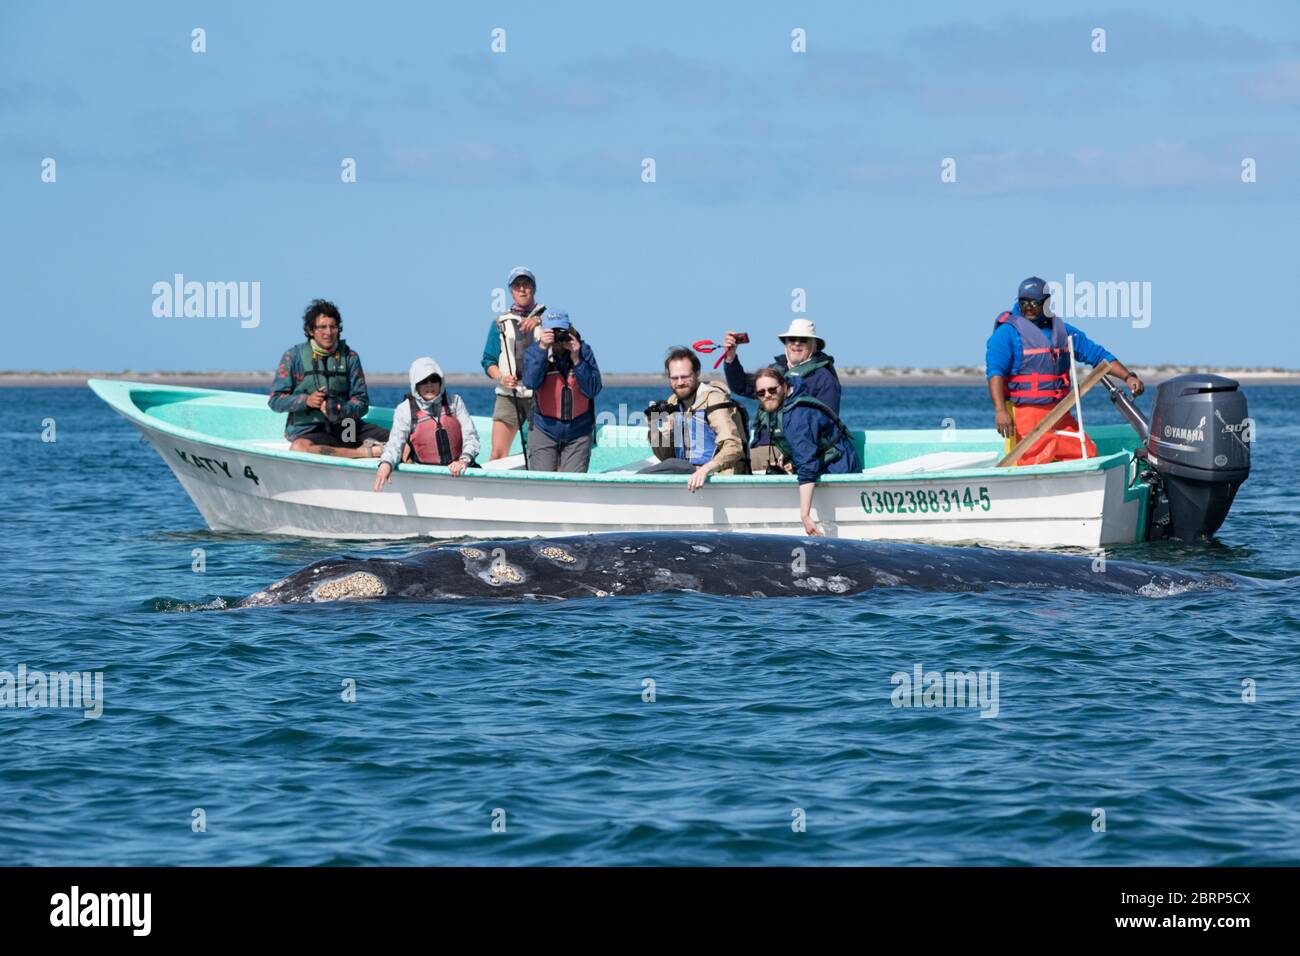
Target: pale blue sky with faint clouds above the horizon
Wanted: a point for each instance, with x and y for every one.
(774, 171)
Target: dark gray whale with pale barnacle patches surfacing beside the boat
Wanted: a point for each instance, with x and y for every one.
(710, 563)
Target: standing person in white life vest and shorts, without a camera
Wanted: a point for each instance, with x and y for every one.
(509, 338)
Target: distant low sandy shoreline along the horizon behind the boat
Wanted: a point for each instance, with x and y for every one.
(848, 378)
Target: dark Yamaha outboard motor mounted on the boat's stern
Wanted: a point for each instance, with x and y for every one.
(1199, 445)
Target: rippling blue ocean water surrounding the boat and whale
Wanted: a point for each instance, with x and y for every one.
(772, 737)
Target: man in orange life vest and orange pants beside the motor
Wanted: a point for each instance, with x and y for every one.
(1028, 365)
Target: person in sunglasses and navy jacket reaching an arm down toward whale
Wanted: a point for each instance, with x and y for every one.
(809, 435)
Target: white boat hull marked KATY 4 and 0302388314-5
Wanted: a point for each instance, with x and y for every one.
(237, 487)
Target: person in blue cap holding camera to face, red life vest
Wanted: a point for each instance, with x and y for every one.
(561, 370)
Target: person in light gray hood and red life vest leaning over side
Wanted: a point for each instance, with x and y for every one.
(430, 427)
